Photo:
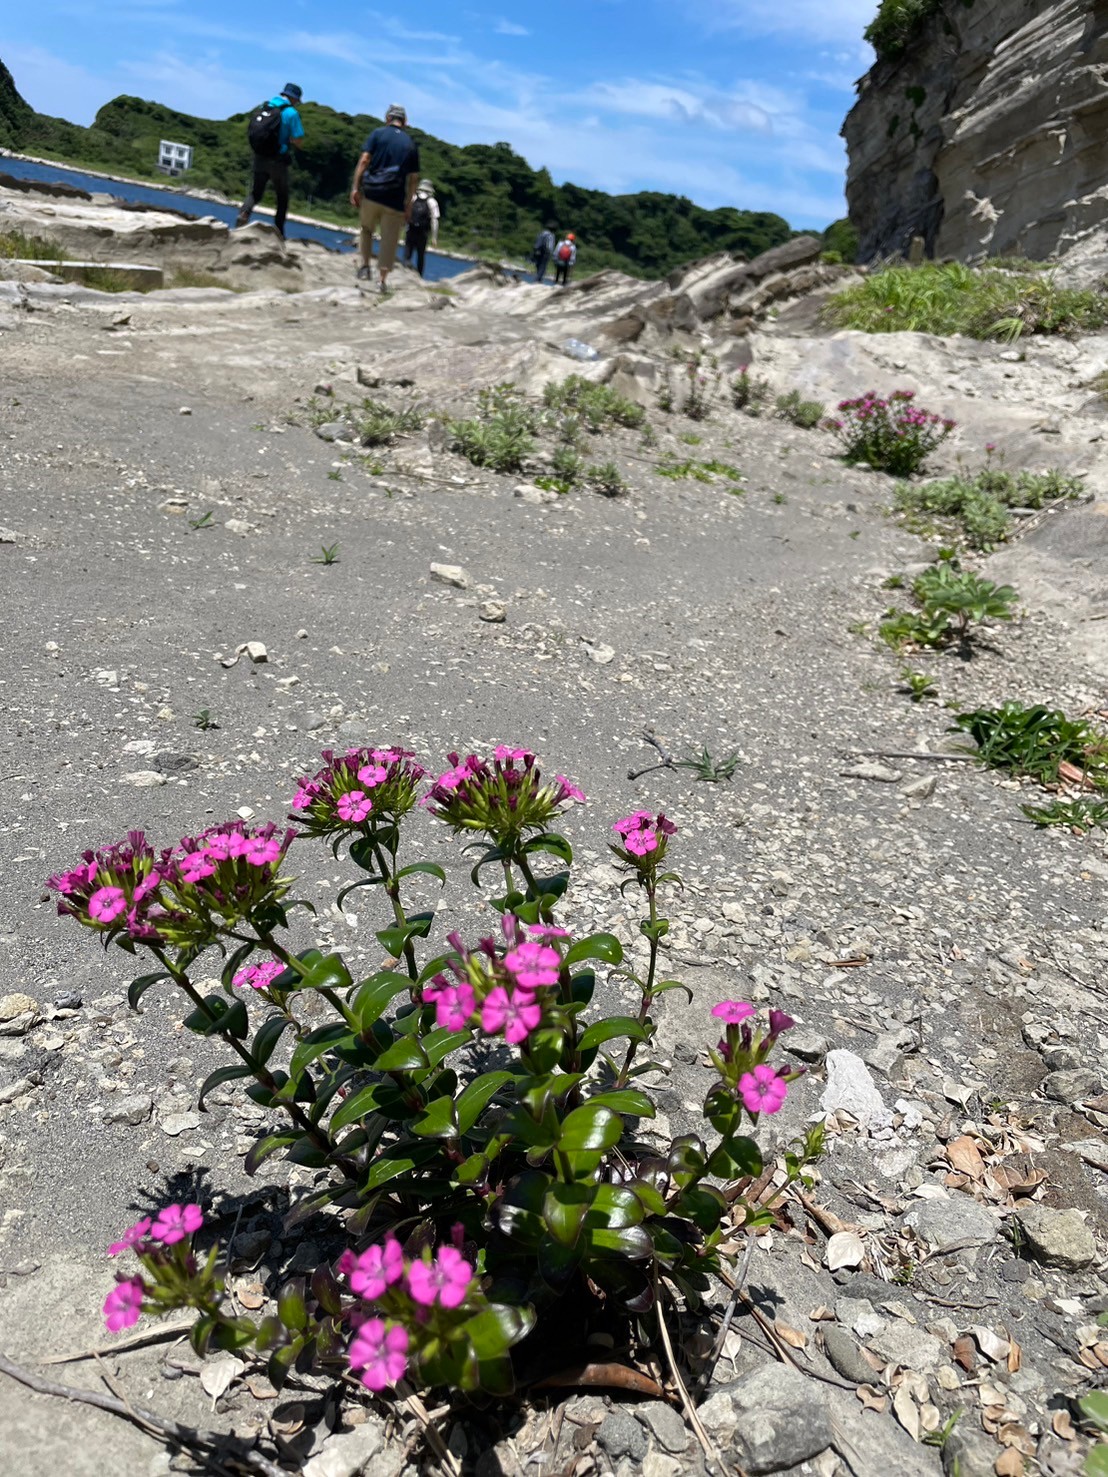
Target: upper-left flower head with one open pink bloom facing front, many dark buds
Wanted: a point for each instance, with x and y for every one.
(357, 785)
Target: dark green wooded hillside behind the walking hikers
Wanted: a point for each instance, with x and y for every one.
(493, 200)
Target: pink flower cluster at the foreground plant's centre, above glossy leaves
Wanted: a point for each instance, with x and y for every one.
(503, 990)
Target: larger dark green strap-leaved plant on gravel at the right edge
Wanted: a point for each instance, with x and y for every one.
(1038, 742)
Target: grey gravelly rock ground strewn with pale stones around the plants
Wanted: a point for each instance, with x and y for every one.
(936, 933)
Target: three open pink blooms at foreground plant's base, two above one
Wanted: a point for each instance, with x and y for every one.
(379, 1352)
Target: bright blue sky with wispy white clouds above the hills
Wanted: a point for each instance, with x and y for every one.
(732, 103)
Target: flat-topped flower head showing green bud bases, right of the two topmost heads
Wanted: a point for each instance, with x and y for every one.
(503, 797)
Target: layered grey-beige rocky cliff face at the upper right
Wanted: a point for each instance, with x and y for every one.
(989, 137)
